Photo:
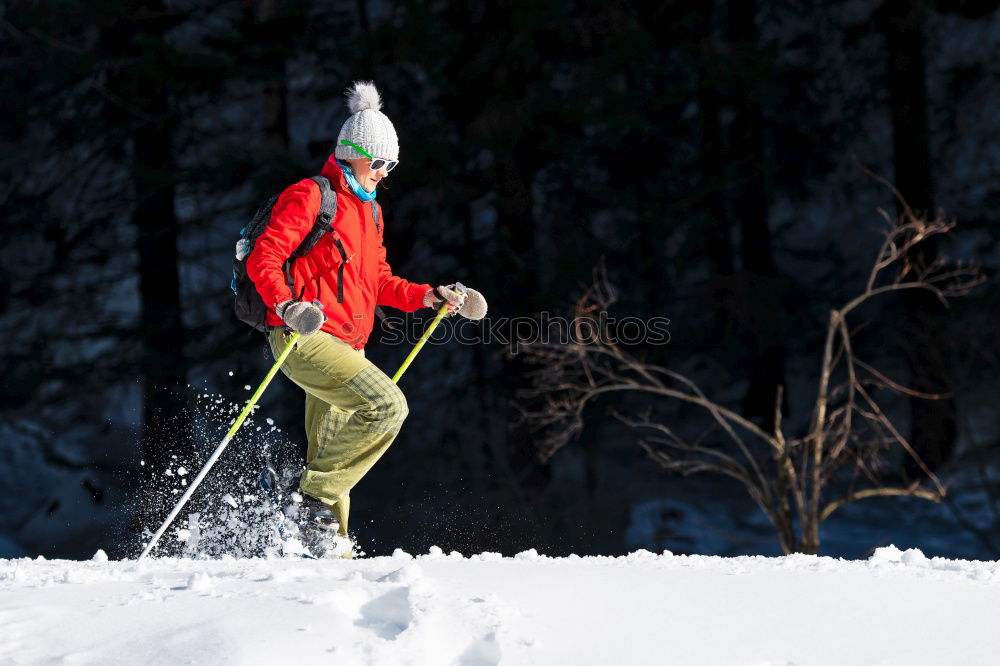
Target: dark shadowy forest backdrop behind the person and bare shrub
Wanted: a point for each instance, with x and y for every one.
(798, 198)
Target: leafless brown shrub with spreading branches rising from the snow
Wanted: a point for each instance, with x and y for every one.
(798, 482)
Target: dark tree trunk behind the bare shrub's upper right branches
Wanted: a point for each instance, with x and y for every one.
(933, 425)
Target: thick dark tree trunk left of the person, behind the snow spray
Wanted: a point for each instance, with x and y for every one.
(142, 100)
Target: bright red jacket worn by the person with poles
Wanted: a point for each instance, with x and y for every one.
(368, 278)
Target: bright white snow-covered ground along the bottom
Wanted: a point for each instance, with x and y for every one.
(894, 608)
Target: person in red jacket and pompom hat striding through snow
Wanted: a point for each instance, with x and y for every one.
(353, 411)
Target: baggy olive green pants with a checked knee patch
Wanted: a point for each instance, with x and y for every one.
(353, 412)
